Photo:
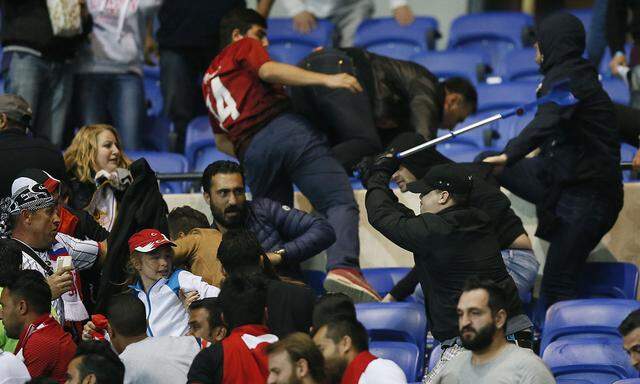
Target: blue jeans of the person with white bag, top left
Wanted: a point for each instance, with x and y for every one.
(46, 85)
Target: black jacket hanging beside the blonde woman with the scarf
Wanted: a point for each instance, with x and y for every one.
(142, 207)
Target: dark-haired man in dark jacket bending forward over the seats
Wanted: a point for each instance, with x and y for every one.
(399, 96)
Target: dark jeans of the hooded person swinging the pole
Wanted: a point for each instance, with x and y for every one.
(584, 216)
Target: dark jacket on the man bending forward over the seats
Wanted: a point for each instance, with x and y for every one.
(402, 91)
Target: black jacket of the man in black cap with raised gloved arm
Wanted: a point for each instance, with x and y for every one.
(448, 248)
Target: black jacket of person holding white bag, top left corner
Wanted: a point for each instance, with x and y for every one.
(26, 23)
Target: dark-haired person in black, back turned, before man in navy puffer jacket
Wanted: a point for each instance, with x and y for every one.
(289, 305)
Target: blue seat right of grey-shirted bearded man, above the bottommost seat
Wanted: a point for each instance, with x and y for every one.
(585, 319)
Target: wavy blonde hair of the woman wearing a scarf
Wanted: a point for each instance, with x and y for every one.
(80, 157)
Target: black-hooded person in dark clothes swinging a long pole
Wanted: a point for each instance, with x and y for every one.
(575, 180)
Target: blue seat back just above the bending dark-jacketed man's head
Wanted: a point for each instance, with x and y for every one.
(450, 63)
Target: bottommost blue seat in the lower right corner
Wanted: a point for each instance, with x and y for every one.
(596, 360)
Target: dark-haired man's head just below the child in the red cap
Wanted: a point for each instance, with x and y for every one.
(205, 320)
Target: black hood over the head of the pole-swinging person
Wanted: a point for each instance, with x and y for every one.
(561, 38)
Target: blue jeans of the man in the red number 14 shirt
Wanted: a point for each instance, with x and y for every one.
(288, 151)
